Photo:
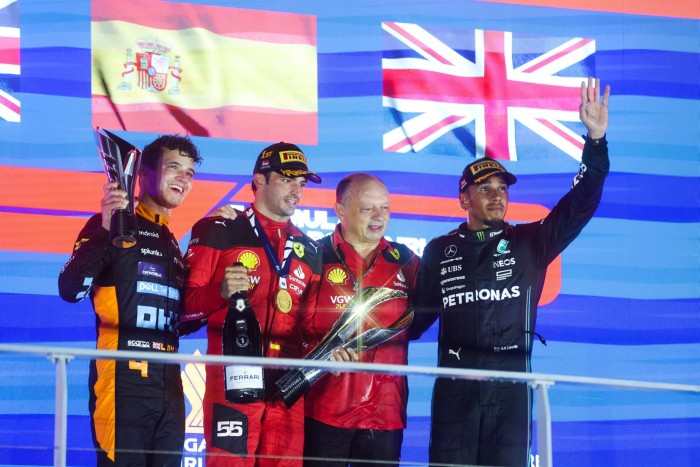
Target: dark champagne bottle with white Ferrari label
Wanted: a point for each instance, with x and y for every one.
(242, 337)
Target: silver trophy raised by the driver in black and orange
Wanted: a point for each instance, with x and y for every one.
(121, 162)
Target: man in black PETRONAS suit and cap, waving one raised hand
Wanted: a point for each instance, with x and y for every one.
(484, 280)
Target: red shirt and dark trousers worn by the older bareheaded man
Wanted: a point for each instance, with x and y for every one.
(360, 415)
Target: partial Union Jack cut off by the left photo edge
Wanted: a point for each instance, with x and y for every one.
(9, 60)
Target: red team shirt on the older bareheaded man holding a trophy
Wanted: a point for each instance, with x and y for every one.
(362, 400)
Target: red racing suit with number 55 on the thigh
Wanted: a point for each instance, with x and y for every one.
(269, 434)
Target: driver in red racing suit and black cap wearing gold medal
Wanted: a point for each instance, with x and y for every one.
(277, 258)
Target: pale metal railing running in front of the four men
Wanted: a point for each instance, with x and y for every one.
(540, 382)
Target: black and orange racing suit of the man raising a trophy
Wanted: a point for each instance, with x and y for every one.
(134, 405)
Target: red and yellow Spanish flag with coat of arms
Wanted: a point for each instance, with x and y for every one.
(200, 70)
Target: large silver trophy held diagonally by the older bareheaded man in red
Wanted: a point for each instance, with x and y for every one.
(347, 333)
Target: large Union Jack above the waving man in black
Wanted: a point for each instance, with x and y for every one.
(468, 92)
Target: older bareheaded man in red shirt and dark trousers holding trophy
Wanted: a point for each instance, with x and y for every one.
(360, 415)
